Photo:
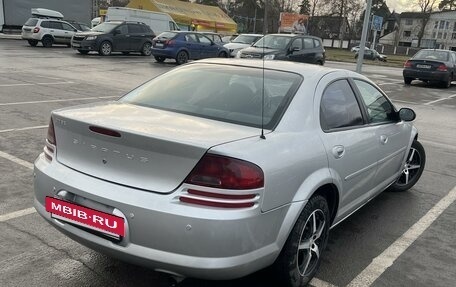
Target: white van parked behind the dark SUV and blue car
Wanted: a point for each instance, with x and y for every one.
(157, 21)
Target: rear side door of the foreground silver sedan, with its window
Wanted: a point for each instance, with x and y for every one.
(349, 142)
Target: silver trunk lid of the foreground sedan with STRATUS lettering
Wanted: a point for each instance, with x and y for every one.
(136, 146)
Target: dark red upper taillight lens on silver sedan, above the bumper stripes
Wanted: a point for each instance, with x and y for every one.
(226, 173)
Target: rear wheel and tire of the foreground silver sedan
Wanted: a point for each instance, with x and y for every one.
(300, 257)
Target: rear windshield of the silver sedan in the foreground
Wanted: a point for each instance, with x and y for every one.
(220, 92)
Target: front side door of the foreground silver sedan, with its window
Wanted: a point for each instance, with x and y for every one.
(392, 135)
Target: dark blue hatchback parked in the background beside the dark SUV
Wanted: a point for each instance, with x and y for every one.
(185, 45)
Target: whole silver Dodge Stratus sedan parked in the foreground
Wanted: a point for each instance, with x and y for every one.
(220, 168)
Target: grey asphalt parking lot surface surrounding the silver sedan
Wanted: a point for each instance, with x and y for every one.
(398, 239)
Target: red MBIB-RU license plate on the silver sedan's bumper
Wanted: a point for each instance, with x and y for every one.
(94, 221)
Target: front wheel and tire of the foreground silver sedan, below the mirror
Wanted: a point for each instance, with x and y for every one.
(412, 170)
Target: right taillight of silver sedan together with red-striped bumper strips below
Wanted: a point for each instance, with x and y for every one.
(227, 182)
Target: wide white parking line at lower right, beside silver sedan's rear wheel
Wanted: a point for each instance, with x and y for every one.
(386, 259)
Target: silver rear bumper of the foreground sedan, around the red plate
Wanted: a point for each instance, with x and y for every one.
(165, 234)
